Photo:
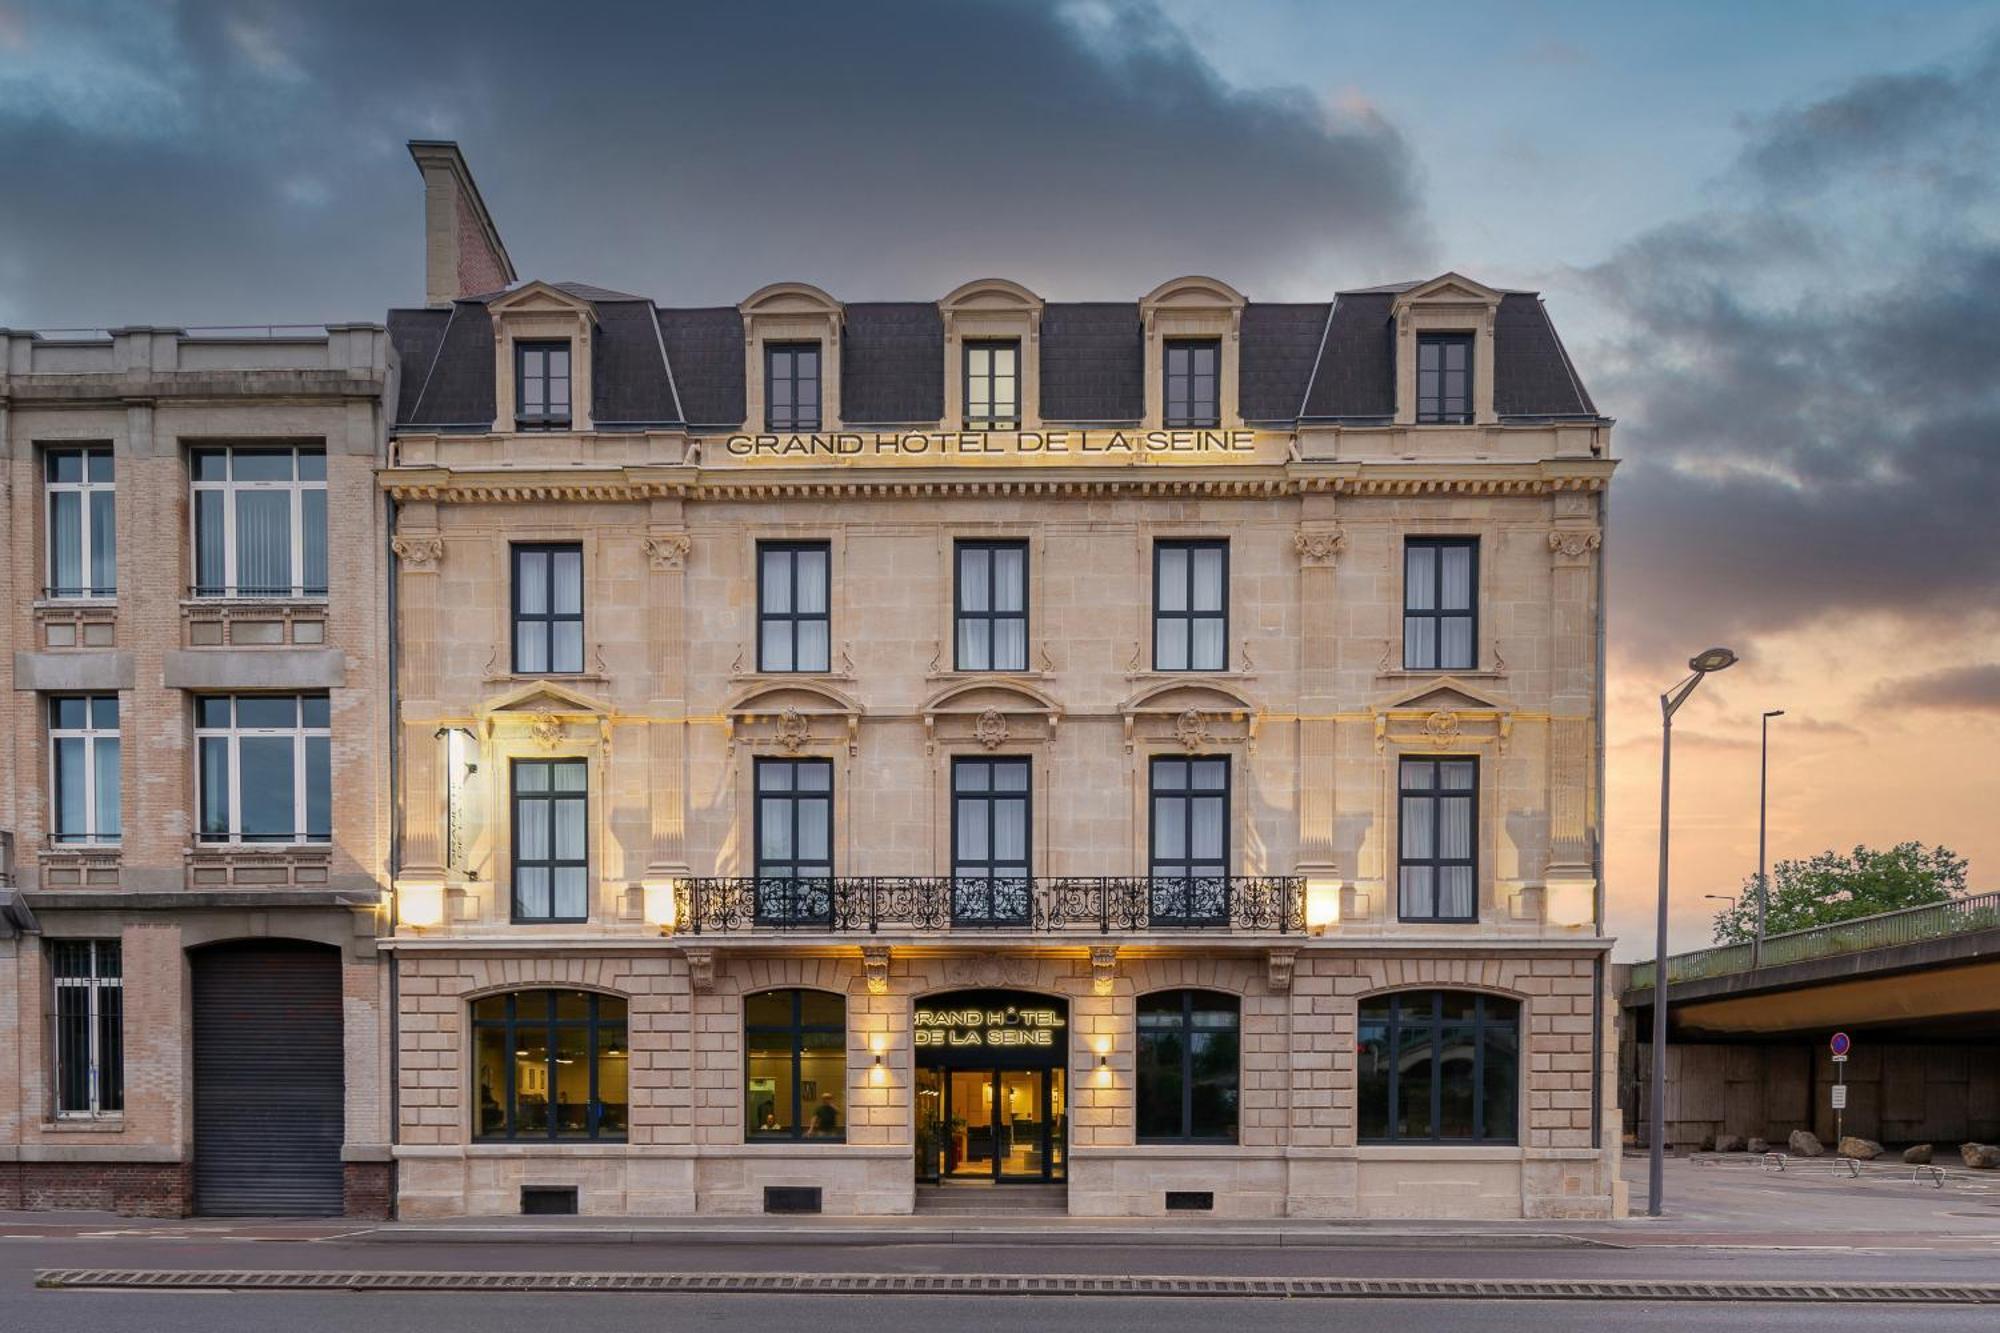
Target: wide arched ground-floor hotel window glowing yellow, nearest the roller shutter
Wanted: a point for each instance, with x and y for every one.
(551, 1066)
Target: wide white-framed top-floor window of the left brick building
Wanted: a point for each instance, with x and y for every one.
(259, 521)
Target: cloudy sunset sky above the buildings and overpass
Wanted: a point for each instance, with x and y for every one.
(1769, 233)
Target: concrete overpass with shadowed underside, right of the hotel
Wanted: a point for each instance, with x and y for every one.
(1919, 992)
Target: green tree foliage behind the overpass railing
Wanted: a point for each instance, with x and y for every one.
(1839, 888)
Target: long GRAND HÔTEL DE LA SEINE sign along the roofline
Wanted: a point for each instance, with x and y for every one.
(1015, 447)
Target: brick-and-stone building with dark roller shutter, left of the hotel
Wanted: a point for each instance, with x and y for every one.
(193, 782)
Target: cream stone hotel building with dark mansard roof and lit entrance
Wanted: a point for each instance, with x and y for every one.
(1143, 750)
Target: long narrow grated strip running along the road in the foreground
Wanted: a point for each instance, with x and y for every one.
(1025, 1284)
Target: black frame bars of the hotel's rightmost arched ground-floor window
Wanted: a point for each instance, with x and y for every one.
(1383, 1018)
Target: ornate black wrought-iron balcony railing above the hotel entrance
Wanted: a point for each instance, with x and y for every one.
(869, 906)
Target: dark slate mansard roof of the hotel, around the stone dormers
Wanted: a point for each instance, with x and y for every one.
(685, 367)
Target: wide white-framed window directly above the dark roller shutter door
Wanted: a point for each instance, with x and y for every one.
(267, 768)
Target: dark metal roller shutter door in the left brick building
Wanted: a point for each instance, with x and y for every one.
(269, 1080)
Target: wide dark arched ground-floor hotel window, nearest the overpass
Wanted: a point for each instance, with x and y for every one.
(1437, 1068)
